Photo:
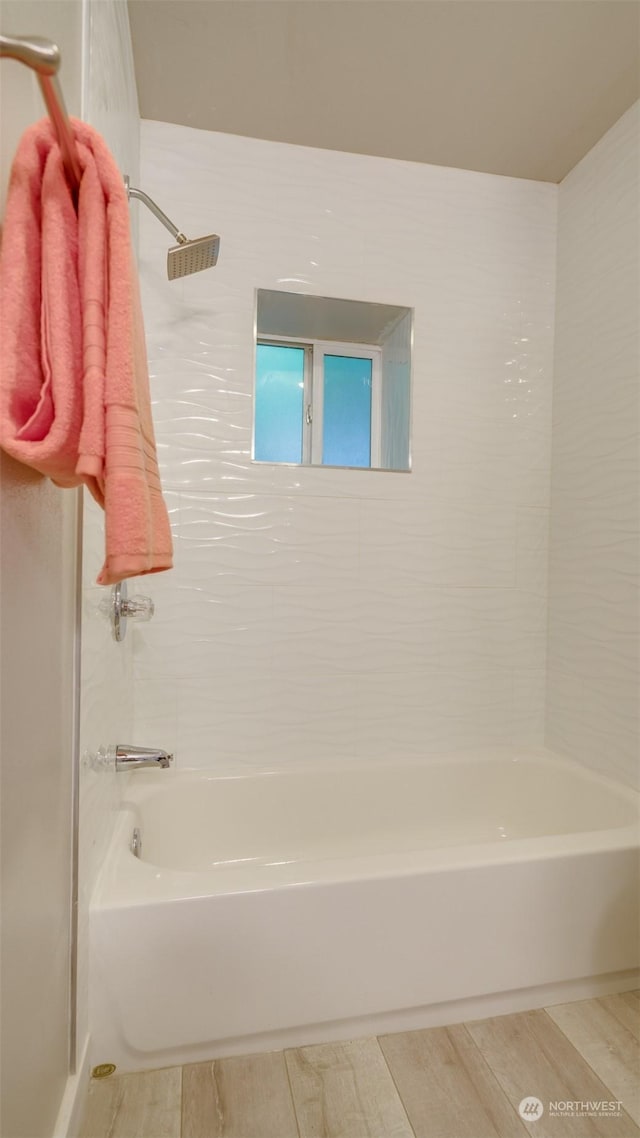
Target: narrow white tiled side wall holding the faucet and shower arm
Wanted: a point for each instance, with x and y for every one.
(111, 105)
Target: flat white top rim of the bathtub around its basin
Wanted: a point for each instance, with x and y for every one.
(129, 881)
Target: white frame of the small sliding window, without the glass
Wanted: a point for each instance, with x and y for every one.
(314, 394)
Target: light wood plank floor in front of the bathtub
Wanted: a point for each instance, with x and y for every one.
(465, 1082)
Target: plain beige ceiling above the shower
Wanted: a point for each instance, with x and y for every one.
(511, 87)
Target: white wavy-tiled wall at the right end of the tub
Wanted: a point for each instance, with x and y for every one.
(594, 685)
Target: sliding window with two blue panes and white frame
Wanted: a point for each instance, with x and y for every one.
(318, 403)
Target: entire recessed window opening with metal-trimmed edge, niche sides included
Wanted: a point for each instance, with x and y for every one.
(333, 382)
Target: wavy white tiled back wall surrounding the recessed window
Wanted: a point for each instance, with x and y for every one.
(319, 613)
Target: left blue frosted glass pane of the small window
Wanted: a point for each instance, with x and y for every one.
(280, 398)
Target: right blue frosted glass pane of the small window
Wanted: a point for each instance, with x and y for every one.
(347, 417)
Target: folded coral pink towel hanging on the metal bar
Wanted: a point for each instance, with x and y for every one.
(75, 387)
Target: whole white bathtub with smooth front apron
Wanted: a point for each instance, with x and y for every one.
(288, 906)
